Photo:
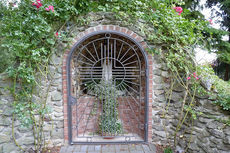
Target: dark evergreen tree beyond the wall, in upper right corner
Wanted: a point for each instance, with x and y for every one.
(216, 43)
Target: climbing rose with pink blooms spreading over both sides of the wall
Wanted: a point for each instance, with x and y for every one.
(31, 30)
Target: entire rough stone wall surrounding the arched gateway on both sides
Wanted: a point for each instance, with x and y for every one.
(208, 134)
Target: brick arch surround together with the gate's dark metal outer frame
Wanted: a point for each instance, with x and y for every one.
(124, 32)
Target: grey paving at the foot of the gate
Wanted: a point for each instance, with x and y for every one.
(128, 148)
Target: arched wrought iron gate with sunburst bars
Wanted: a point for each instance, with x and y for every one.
(107, 90)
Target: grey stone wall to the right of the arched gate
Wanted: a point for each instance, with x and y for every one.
(207, 135)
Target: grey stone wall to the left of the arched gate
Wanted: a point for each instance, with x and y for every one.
(53, 128)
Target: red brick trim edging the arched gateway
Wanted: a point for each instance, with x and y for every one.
(86, 33)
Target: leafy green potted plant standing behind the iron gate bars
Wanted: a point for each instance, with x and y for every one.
(109, 123)
